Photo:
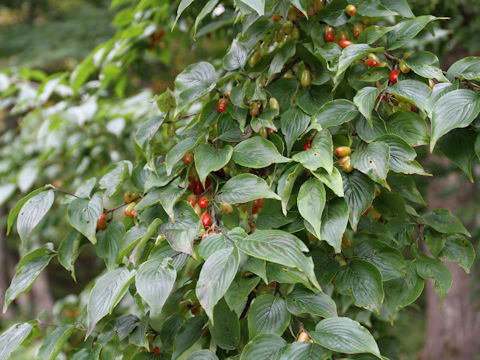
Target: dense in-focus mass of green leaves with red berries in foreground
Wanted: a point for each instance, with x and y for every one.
(296, 244)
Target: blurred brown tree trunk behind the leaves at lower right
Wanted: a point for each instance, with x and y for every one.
(452, 328)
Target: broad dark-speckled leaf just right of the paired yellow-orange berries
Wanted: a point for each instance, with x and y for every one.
(373, 162)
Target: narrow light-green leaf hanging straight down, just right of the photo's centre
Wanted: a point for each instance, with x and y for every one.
(310, 201)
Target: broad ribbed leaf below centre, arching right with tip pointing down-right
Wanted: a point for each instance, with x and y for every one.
(279, 247)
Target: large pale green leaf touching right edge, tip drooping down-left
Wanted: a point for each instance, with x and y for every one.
(455, 109)
